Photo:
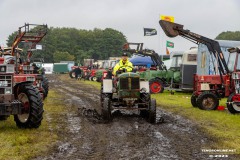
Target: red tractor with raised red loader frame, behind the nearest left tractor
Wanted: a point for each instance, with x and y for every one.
(30, 36)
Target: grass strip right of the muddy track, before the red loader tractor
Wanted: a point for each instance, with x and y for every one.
(221, 125)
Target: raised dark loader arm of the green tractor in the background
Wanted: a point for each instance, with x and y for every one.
(144, 52)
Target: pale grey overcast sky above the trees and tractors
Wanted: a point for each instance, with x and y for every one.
(205, 17)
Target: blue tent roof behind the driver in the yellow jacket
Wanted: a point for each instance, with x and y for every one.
(141, 61)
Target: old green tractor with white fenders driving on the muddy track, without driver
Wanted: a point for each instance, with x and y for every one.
(127, 91)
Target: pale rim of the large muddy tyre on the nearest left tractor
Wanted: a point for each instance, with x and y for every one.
(22, 97)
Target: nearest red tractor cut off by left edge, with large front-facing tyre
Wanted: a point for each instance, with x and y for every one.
(22, 100)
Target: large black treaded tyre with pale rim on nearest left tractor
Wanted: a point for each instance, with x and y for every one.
(32, 107)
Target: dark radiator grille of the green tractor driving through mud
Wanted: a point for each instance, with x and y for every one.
(124, 83)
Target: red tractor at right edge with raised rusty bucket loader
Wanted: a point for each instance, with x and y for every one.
(209, 89)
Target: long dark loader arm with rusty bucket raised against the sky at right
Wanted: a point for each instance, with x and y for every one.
(174, 29)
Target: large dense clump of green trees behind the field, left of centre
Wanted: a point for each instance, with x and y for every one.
(94, 44)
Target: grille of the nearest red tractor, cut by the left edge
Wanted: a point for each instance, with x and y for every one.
(5, 84)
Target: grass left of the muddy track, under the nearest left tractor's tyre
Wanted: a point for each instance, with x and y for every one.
(24, 144)
